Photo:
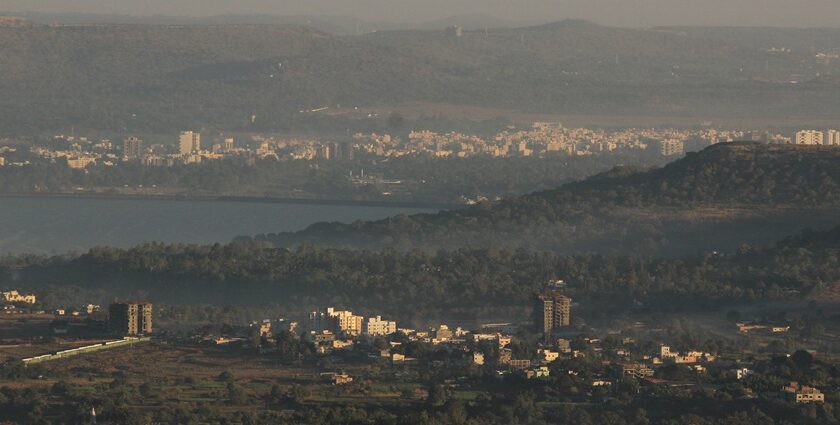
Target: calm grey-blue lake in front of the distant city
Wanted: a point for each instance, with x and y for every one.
(59, 225)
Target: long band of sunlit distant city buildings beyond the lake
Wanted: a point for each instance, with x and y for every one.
(543, 138)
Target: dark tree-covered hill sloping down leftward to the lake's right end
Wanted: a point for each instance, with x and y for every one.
(712, 200)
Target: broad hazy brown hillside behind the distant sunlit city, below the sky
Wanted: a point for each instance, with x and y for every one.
(167, 77)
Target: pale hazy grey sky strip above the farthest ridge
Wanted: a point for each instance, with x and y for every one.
(803, 13)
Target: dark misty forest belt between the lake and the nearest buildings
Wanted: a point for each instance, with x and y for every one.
(416, 284)
